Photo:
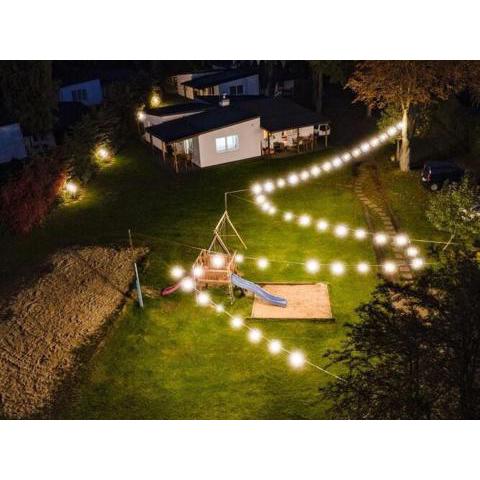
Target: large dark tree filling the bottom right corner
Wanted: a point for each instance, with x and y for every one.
(415, 353)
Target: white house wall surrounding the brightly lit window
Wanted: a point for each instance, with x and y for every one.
(249, 135)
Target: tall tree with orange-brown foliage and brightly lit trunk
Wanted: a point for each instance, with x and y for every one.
(409, 85)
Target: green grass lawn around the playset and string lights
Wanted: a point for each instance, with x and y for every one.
(174, 359)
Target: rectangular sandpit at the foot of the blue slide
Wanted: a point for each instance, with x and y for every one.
(305, 302)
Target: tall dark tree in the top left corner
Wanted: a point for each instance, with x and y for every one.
(28, 93)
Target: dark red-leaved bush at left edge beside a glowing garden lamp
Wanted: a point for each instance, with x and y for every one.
(29, 193)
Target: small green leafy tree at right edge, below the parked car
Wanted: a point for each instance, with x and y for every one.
(455, 209)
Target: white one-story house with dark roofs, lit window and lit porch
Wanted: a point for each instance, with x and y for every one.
(221, 130)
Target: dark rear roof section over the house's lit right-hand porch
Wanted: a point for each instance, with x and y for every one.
(276, 114)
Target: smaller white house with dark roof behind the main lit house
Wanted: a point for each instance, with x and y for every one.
(224, 82)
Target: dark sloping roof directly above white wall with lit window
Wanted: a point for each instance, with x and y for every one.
(193, 125)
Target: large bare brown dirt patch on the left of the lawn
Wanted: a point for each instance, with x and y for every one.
(44, 324)
